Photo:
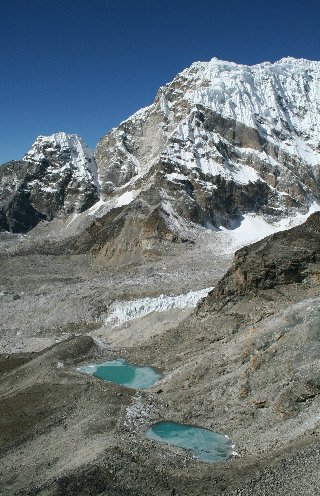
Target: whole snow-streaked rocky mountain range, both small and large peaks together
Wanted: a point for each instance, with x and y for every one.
(220, 141)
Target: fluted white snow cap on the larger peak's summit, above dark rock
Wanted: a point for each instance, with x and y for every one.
(280, 100)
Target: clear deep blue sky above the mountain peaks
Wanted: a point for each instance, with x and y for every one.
(82, 66)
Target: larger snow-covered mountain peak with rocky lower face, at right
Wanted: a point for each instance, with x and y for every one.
(222, 140)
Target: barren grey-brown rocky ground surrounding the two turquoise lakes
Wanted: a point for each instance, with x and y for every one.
(244, 363)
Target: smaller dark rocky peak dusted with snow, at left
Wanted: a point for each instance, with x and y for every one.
(57, 177)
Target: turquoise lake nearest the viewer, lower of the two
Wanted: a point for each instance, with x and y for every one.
(206, 445)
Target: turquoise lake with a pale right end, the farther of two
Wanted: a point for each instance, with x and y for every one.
(121, 372)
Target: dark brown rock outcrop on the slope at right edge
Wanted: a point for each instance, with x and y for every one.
(284, 258)
